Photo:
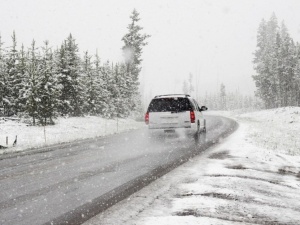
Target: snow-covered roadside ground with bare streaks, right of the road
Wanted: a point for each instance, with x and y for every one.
(252, 177)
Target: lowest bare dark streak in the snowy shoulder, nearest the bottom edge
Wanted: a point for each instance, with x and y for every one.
(234, 217)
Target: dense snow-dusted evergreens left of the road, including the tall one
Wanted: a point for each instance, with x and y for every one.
(42, 82)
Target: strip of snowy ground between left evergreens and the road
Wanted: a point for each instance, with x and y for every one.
(65, 130)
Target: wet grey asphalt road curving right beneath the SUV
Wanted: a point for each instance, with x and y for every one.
(73, 182)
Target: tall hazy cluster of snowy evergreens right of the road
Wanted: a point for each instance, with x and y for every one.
(277, 65)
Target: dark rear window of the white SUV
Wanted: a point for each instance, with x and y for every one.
(169, 104)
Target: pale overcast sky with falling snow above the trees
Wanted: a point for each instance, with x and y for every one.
(213, 39)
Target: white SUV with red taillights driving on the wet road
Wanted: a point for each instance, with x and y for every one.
(170, 112)
